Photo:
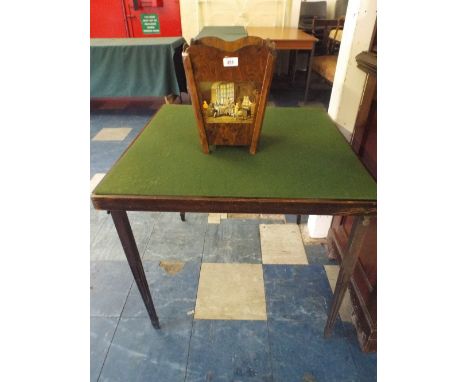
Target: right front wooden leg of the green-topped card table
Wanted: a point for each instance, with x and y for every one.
(348, 264)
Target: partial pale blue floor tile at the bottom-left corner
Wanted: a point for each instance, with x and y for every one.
(102, 331)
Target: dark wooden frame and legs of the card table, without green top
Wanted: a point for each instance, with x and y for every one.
(118, 205)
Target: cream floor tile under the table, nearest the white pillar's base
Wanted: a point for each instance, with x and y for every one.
(282, 244)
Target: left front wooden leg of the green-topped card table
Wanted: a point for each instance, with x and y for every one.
(125, 233)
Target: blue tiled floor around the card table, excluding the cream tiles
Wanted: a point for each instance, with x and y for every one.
(288, 347)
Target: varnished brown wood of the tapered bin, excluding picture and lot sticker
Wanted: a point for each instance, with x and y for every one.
(203, 62)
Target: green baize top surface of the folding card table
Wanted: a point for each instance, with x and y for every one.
(301, 155)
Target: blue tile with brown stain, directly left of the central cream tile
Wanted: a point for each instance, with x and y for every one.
(173, 287)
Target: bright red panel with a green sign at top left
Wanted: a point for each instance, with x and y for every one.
(135, 18)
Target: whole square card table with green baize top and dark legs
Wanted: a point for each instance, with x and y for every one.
(303, 166)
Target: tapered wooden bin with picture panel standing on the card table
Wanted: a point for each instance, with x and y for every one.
(229, 82)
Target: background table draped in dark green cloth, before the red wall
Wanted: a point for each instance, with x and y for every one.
(136, 67)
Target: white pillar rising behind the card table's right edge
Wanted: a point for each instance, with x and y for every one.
(349, 80)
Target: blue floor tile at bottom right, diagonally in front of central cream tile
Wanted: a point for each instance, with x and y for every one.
(301, 353)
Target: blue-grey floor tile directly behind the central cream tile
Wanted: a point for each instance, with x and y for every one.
(232, 241)
